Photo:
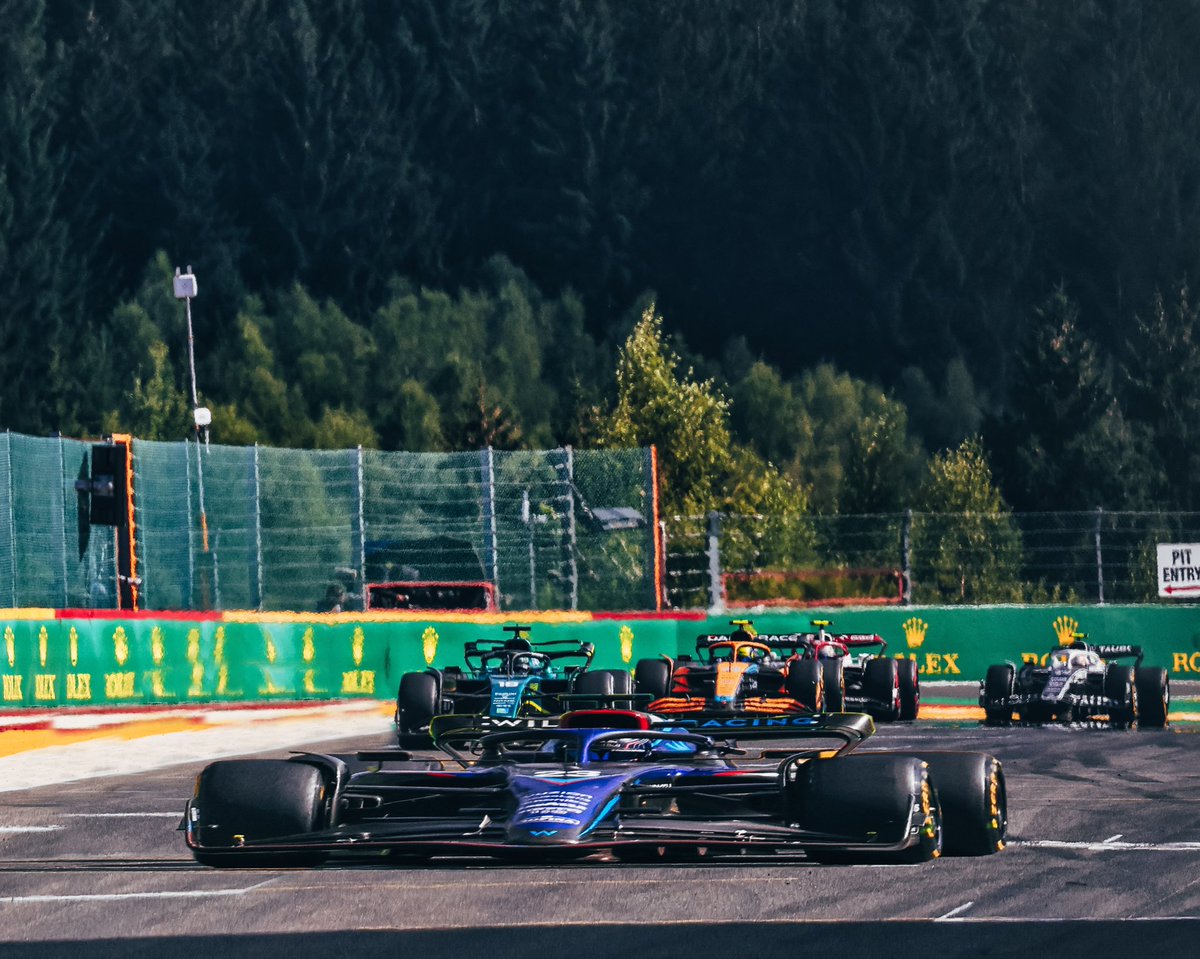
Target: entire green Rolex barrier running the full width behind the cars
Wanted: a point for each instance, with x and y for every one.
(112, 663)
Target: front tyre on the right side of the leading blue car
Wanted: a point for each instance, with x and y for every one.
(865, 800)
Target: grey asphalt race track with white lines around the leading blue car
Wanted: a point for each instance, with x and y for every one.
(1103, 860)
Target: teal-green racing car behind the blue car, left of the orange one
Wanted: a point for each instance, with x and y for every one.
(508, 680)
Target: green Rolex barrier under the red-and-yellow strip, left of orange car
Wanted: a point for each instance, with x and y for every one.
(113, 663)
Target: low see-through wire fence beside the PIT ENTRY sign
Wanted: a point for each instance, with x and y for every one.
(1099, 556)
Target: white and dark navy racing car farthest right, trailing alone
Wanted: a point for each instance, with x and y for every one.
(1078, 682)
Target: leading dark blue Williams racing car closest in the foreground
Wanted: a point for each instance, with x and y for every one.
(603, 782)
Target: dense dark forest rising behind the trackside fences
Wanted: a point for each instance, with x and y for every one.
(874, 232)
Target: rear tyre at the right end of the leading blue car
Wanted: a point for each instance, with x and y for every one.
(975, 801)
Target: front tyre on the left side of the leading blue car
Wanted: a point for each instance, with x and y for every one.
(239, 801)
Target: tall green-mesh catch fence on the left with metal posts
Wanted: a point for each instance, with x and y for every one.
(305, 530)
